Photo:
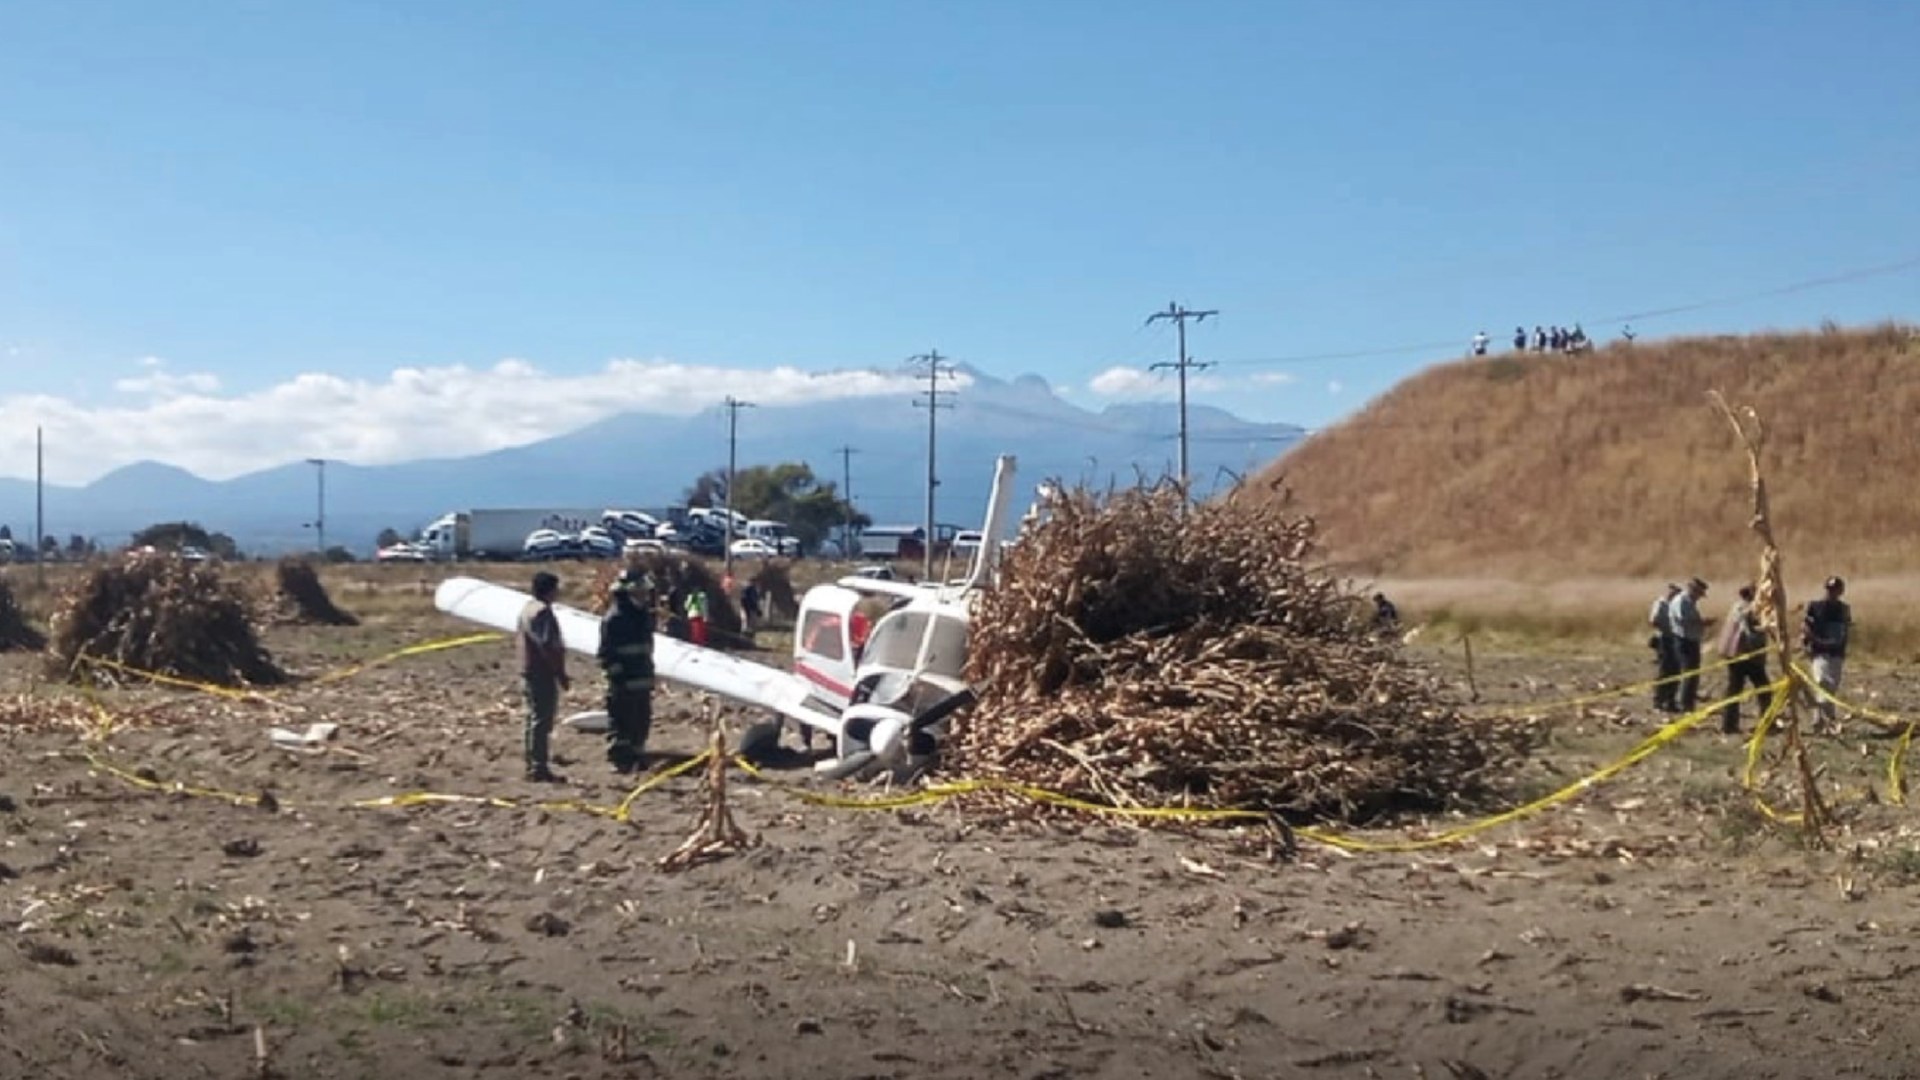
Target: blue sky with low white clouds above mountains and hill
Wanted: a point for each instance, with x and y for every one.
(216, 210)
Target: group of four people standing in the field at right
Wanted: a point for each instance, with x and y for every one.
(1679, 633)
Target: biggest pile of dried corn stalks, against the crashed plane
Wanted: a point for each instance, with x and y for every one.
(1140, 654)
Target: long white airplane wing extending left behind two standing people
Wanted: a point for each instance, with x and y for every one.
(692, 666)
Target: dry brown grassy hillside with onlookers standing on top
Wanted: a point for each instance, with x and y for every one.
(1614, 464)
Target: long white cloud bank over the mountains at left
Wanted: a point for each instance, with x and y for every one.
(416, 412)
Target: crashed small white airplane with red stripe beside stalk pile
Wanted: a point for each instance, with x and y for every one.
(884, 702)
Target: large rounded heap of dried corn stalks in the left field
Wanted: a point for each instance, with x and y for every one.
(162, 614)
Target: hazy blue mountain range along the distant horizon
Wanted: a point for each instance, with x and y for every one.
(642, 460)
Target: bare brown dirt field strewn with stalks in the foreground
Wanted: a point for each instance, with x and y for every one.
(1654, 927)
